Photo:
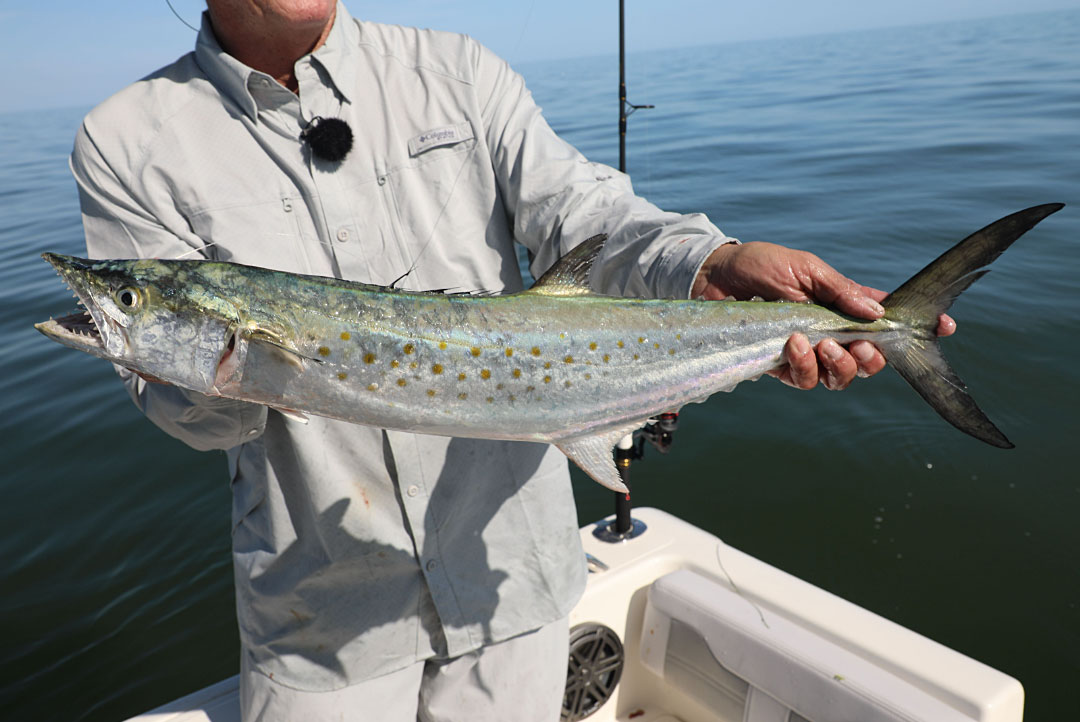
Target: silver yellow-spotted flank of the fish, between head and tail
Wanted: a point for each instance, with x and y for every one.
(524, 367)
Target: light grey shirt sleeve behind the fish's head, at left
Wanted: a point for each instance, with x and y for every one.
(119, 224)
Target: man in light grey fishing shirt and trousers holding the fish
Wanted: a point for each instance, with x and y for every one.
(380, 575)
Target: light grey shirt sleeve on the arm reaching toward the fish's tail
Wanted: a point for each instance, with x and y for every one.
(557, 199)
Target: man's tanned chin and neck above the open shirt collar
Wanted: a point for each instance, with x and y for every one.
(269, 47)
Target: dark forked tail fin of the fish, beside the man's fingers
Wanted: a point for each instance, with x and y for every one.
(930, 293)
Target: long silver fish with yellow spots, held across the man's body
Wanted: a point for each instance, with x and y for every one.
(558, 363)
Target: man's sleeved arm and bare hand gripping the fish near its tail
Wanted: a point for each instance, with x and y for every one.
(558, 199)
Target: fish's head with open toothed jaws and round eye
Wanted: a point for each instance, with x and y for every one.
(159, 319)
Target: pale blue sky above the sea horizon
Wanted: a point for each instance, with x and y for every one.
(66, 53)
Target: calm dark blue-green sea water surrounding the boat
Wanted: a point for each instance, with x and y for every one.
(876, 151)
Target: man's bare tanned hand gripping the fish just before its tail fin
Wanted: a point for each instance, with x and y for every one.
(779, 274)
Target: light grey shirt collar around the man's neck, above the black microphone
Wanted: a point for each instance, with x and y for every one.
(233, 78)
